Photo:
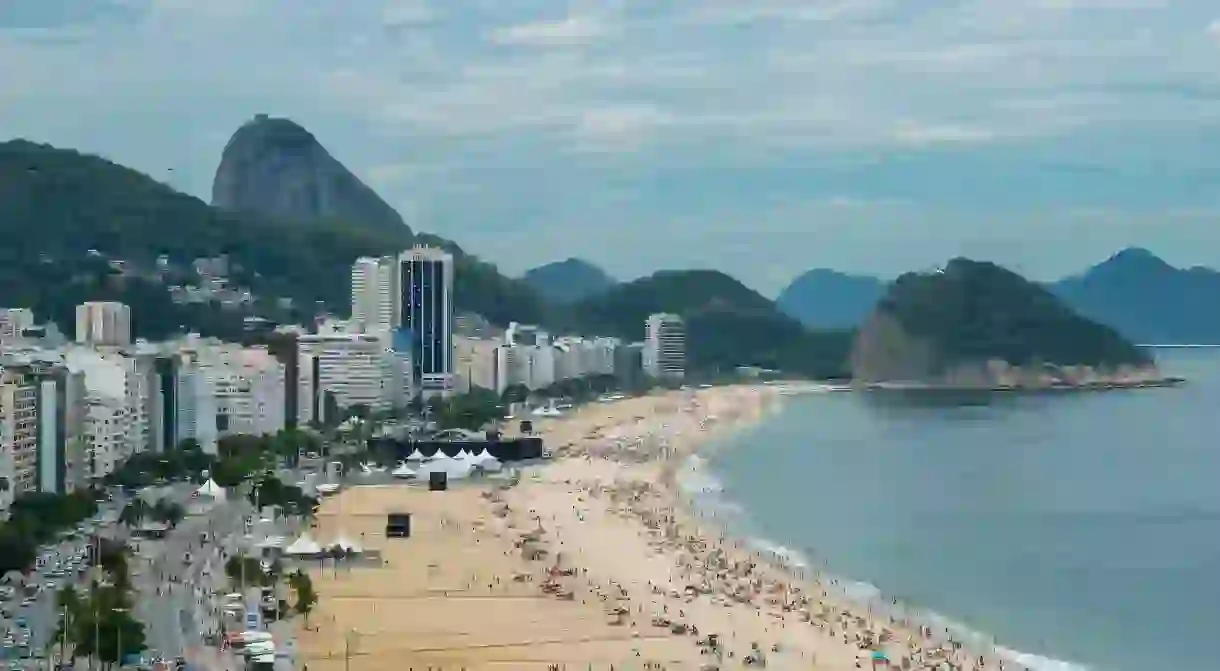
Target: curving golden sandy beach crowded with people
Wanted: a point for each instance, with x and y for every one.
(591, 561)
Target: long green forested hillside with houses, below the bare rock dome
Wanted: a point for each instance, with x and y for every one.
(57, 206)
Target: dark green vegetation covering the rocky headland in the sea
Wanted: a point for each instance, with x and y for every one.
(978, 312)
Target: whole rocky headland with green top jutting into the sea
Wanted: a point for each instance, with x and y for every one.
(979, 326)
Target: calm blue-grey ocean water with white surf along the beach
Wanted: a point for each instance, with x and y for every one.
(1077, 531)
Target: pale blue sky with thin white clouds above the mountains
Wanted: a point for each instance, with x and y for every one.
(762, 137)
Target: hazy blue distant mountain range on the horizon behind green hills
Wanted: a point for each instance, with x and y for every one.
(1134, 292)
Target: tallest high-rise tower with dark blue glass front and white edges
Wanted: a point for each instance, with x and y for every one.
(426, 312)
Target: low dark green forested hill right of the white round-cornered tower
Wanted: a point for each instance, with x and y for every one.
(728, 324)
